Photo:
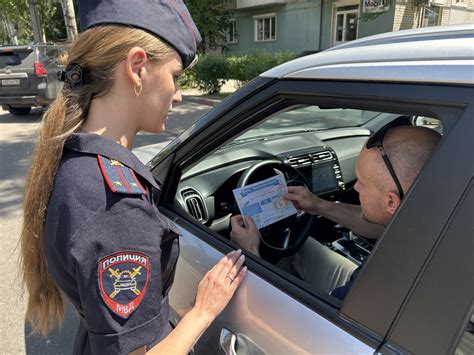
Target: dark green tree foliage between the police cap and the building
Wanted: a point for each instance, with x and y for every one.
(212, 19)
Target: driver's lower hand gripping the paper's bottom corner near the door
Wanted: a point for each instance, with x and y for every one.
(246, 237)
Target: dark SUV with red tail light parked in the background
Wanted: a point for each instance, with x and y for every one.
(28, 76)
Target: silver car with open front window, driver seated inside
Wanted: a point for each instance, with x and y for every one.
(309, 119)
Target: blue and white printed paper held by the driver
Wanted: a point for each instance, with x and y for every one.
(263, 201)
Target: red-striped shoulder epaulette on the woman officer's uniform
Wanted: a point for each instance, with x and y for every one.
(120, 177)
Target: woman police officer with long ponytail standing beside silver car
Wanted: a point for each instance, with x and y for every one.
(91, 230)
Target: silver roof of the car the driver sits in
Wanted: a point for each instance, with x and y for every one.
(442, 54)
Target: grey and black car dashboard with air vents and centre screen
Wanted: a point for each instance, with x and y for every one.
(326, 159)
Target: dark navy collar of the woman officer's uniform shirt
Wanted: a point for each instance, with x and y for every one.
(95, 144)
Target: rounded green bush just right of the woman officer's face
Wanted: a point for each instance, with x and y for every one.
(210, 73)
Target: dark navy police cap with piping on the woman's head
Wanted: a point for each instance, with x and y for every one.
(170, 20)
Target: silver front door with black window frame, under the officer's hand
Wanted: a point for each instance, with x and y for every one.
(271, 312)
